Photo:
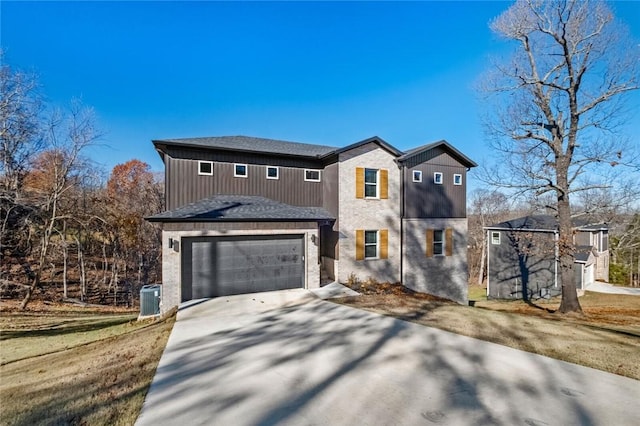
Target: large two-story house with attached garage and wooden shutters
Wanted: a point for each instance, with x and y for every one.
(249, 214)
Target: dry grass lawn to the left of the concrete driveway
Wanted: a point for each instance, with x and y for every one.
(77, 366)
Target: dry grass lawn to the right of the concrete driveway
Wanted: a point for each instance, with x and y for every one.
(606, 337)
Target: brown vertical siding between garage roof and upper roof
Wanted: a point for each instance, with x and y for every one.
(185, 185)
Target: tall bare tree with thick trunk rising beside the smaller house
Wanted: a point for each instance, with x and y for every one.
(558, 107)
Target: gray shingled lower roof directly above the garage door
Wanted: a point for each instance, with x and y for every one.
(241, 208)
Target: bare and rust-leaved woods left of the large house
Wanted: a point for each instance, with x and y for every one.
(66, 232)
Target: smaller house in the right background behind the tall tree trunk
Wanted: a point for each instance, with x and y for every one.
(522, 259)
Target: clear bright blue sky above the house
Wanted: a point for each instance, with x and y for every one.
(329, 73)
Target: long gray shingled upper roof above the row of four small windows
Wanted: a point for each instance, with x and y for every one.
(251, 144)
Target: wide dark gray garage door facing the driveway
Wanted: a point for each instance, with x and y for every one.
(223, 266)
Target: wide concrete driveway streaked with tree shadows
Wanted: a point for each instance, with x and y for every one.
(290, 358)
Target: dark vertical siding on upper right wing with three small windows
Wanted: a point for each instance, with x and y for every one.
(427, 199)
